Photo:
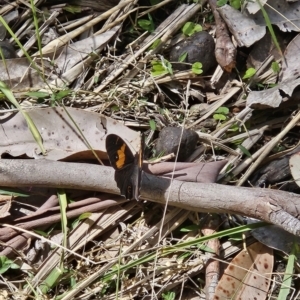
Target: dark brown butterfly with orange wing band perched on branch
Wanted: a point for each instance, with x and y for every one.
(128, 166)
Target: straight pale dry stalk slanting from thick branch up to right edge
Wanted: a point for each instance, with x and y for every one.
(269, 148)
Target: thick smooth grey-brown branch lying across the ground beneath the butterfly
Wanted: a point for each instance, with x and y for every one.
(273, 206)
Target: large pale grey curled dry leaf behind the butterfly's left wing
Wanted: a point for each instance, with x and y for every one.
(60, 136)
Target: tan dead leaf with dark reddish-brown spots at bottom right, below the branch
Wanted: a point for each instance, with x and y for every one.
(248, 275)
